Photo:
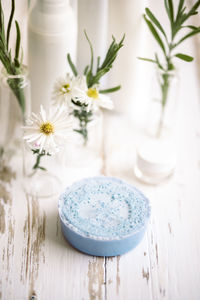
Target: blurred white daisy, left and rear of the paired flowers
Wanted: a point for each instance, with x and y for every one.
(65, 89)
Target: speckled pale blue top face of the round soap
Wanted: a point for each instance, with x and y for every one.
(104, 208)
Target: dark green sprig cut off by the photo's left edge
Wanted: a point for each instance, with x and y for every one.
(12, 65)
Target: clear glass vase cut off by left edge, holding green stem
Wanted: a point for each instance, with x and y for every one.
(15, 105)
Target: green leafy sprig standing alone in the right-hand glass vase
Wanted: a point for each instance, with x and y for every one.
(168, 44)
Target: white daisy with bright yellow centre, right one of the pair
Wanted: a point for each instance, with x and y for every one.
(92, 97)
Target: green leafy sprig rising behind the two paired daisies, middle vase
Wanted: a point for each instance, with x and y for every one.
(93, 78)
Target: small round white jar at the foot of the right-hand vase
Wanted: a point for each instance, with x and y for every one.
(156, 157)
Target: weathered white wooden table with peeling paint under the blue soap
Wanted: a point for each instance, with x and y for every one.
(37, 263)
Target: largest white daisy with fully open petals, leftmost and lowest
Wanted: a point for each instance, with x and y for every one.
(48, 131)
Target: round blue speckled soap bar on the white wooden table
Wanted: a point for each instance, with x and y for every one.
(103, 216)
